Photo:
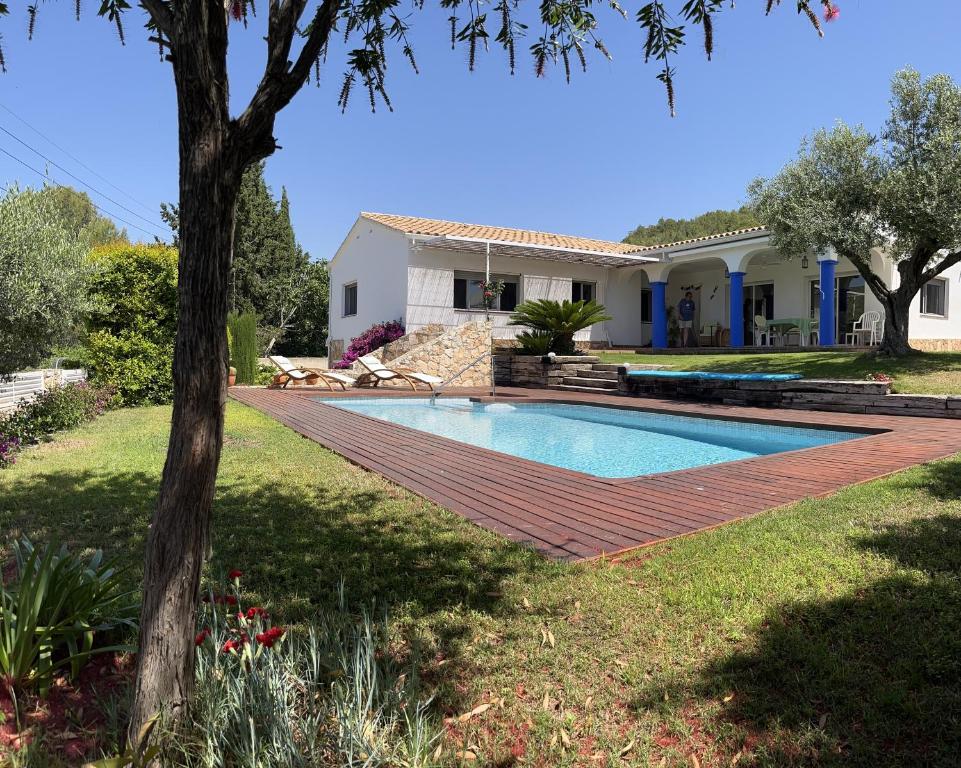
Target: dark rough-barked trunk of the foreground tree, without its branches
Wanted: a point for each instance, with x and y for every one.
(179, 535)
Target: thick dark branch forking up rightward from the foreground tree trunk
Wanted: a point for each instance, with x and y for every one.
(281, 81)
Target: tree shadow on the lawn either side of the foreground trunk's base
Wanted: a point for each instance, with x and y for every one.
(431, 572)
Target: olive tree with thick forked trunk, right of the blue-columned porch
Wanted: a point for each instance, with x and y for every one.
(896, 193)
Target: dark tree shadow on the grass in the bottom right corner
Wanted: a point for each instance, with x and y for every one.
(871, 678)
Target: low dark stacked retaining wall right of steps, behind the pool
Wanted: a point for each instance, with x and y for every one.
(802, 394)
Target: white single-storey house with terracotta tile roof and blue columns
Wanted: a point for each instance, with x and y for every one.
(425, 271)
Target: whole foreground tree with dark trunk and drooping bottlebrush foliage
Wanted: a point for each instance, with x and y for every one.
(302, 37)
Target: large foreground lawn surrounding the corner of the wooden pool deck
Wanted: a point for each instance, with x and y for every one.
(824, 633)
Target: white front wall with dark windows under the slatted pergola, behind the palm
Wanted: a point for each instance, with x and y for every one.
(430, 287)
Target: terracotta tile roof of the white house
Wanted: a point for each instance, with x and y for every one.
(415, 225)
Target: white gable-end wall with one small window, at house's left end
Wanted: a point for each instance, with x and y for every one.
(375, 257)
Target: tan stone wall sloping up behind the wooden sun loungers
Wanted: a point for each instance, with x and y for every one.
(447, 353)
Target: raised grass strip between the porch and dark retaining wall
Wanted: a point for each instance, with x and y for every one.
(928, 373)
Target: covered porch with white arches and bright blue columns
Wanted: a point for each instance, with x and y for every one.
(749, 296)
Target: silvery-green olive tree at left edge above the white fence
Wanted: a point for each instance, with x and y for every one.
(42, 278)
